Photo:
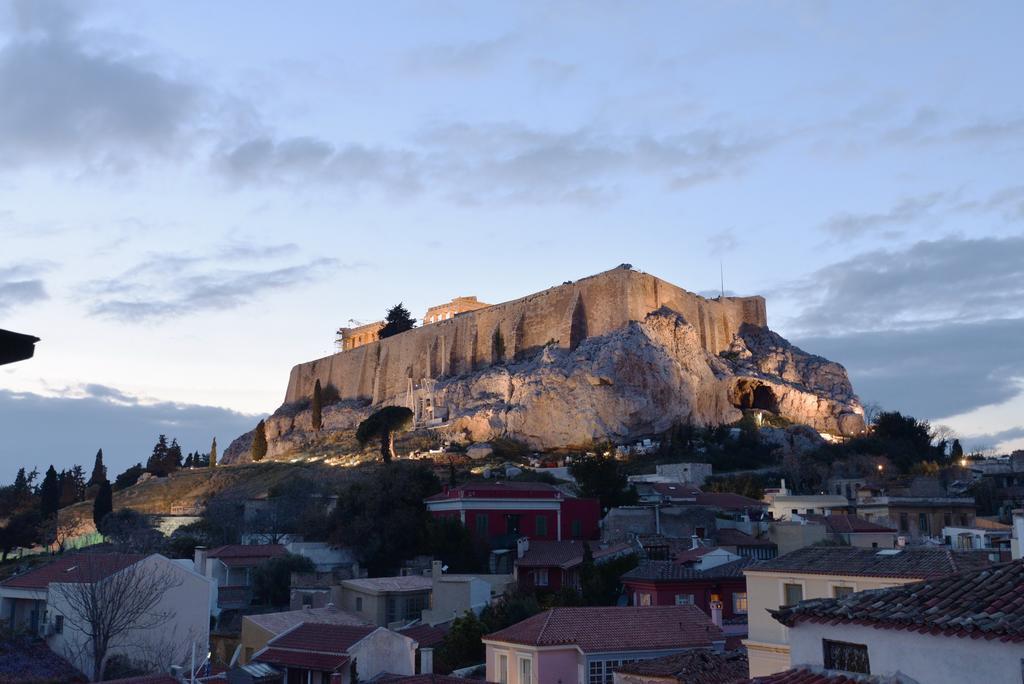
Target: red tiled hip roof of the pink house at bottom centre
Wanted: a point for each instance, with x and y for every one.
(615, 629)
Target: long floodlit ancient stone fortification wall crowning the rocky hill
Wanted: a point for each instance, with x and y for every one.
(385, 372)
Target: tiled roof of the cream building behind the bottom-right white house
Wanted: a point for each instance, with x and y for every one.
(912, 563)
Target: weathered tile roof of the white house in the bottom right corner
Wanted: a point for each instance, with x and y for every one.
(988, 604)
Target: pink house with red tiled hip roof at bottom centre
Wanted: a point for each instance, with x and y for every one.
(586, 645)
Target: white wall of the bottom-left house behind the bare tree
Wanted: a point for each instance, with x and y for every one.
(190, 623)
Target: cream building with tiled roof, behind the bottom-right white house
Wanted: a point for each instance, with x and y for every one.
(822, 572)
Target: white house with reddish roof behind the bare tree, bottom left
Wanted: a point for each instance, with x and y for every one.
(44, 601)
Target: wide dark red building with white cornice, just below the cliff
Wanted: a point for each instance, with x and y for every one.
(502, 512)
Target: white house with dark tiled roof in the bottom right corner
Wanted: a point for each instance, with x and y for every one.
(965, 628)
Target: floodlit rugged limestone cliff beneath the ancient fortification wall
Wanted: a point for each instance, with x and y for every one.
(636, 380)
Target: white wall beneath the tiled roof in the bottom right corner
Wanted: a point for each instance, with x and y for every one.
(935, 660)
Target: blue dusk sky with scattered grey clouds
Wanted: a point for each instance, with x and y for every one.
(195, 196)
